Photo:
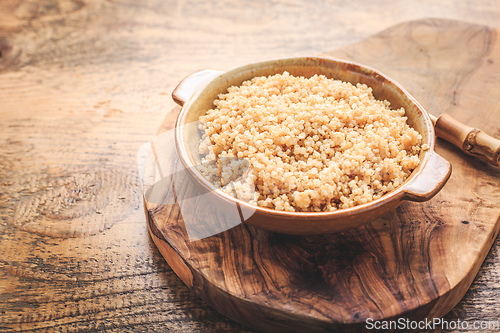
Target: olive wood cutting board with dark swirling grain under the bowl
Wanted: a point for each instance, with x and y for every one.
(416, 262)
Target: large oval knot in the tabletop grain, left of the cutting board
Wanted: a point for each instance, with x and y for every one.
(78, 205)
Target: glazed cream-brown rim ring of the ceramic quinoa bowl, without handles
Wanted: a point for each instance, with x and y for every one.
(397, 194)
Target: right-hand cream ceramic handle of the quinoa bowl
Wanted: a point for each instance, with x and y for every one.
(431, 180)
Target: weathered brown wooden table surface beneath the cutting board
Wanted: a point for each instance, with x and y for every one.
(83, 84)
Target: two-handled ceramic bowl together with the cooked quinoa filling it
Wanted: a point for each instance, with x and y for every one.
(308, 145)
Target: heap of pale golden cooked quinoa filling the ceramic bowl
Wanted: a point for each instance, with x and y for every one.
(306, 144)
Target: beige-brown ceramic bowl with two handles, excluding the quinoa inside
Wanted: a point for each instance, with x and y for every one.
(197, 92)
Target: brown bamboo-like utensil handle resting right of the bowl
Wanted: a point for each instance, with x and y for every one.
(471, 140)
